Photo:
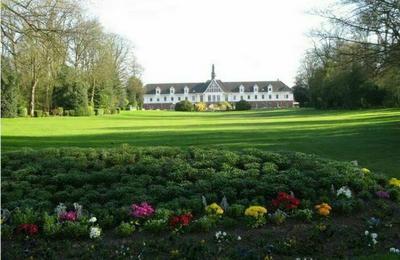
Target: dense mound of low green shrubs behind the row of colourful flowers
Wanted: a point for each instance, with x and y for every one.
(110, 179)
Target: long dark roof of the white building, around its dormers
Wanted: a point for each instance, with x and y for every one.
(200, 87)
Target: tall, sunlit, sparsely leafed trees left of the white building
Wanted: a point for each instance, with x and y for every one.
(54, 56)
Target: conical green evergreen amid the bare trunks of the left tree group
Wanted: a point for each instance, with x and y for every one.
(71, 93)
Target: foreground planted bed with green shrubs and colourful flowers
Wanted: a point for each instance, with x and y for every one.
(127, 193)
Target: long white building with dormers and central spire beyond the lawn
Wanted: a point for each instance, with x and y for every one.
(260, 94)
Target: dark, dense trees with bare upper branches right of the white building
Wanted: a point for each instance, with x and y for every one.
(355, 61)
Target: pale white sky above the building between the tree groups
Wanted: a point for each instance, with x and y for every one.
(179, 40)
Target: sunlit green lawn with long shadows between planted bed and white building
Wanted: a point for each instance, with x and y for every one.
(370, 136)
